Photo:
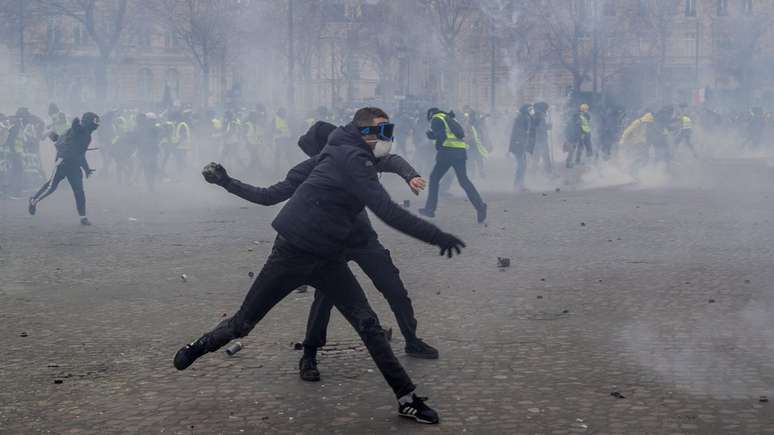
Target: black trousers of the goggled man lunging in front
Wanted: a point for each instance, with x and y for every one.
(288, 268)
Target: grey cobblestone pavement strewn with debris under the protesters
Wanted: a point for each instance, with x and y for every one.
(663, 295)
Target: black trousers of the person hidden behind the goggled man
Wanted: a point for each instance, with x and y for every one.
(376, 262)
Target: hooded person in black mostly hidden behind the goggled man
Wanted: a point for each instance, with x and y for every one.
(366, 250)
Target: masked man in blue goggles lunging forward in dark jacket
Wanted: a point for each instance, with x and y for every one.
(314, 229)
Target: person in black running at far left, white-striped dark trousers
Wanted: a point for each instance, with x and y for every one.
(70, 160)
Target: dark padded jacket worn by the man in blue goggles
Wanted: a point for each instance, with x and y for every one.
(323, 215)
